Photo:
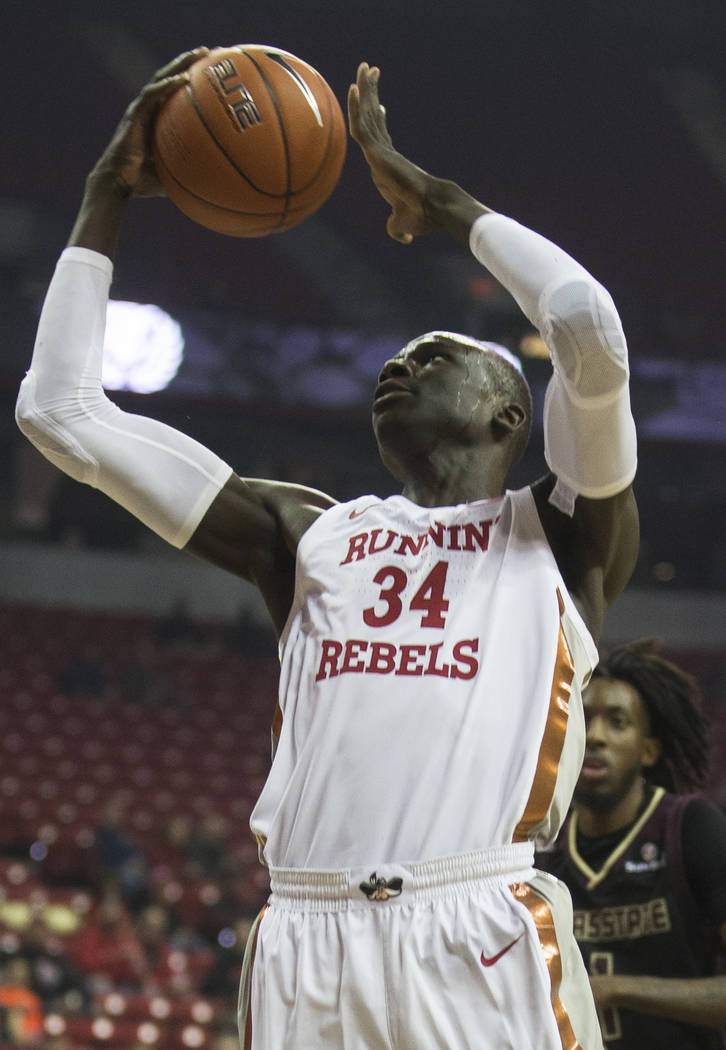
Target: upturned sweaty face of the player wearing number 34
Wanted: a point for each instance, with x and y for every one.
(435, 390)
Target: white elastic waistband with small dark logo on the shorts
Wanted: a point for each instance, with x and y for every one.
(305, 888)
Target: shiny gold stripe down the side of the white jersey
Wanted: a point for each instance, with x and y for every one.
(553, 740)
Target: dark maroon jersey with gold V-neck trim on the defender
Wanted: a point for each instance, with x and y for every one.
(636, 913)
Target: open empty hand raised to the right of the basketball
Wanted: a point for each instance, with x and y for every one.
(400, 182)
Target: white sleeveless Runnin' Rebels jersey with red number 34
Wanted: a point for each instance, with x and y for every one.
(432, 668)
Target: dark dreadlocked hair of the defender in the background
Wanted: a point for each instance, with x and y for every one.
(673, 701)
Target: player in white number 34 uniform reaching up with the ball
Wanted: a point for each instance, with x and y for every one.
(433, 645)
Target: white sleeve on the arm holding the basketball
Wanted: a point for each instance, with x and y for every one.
(164, 478)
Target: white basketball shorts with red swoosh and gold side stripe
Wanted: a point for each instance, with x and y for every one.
(468, 952)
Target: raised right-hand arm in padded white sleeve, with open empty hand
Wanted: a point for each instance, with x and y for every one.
(589, 428)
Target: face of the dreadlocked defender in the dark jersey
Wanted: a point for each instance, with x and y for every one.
(618, 744)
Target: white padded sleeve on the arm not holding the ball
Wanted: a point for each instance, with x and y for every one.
(590, 435)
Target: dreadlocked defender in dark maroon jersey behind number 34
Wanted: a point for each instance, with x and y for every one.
(646, 863)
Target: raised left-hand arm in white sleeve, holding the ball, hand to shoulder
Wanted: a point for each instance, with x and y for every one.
(179, 489)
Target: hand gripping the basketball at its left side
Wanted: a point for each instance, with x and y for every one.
(128, 160)
